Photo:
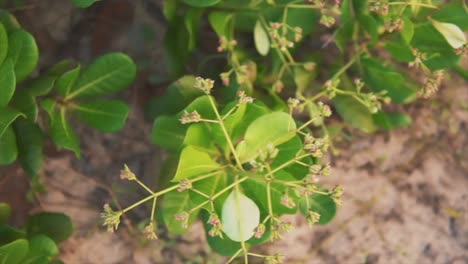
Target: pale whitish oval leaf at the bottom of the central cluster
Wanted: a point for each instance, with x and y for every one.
(240, 216)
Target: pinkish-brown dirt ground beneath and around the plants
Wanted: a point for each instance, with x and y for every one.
(406, 191)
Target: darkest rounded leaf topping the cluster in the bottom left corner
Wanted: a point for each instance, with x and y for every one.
(57, 226)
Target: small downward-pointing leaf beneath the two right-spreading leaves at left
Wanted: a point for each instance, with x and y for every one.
(61, 132)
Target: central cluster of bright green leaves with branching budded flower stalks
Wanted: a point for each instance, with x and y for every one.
(239, 167)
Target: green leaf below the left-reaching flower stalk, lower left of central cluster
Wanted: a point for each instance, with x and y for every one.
(174, 203)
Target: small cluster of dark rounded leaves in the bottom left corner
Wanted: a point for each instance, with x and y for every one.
(36, 242)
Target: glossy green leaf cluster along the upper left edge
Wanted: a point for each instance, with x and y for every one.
(62, 91)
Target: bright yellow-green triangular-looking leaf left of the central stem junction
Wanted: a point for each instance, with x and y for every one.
(194, 162)
